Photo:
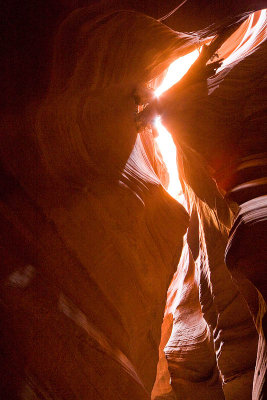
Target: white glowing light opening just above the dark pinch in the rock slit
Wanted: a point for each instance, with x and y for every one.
(176, 71)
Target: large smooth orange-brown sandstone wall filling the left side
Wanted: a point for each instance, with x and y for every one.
(85, 281)
